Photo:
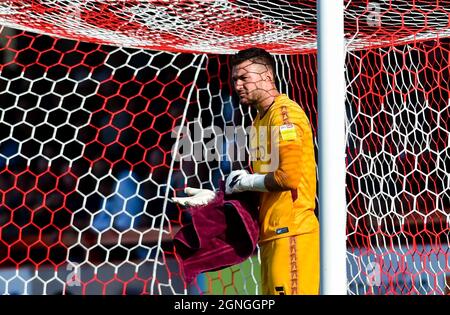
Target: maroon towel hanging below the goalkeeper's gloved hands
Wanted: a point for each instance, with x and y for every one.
(222, 233)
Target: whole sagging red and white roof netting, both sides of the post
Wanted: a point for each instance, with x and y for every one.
(223, 26)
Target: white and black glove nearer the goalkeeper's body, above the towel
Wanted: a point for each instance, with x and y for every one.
(239, 181)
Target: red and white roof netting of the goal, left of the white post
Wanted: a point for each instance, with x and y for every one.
(186, 26)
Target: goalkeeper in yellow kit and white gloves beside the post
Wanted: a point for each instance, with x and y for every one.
(285, 175)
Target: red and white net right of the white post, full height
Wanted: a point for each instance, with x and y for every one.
(398, 148)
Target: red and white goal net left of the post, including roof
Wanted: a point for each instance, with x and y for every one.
(97, 97)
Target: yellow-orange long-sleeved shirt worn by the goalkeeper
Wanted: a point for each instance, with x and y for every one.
(289, 211)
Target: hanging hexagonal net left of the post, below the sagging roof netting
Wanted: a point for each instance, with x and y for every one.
(88, 164)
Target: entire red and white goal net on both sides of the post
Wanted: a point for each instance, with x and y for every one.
(97, 98)
